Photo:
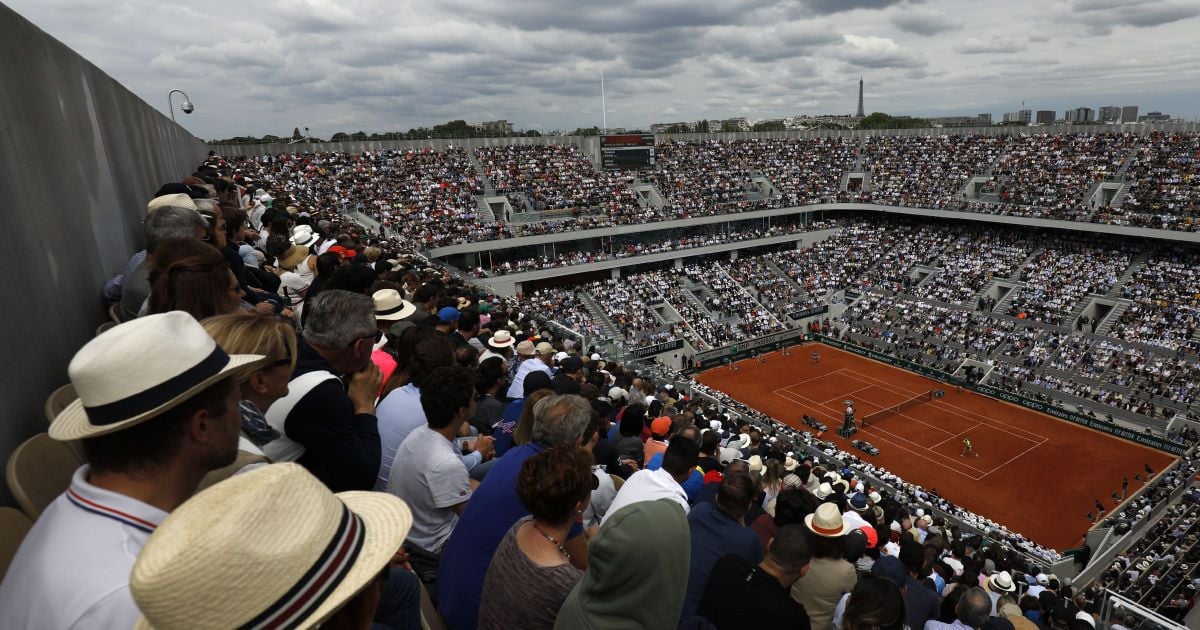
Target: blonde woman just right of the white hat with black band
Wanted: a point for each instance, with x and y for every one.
(271, 337)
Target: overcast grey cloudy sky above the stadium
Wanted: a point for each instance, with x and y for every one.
(267, 67)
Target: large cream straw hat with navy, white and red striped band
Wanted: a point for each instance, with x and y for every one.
(272, 548)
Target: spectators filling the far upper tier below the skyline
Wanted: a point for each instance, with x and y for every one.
(429, 196)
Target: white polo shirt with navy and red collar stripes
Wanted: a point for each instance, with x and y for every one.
(74, 568)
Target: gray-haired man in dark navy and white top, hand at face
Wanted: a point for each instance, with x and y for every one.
(332, 398)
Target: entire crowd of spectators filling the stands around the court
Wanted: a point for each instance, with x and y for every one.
(350, 406)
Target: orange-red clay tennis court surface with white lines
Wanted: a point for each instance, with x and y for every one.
(1036, 475)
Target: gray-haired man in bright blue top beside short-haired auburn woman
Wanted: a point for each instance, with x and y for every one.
(493, 511)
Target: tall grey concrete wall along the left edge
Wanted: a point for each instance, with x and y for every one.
(80, 158)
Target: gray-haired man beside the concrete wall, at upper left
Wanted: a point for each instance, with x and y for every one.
(172, 217)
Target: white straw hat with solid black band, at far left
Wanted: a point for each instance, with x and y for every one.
(140, 370)
